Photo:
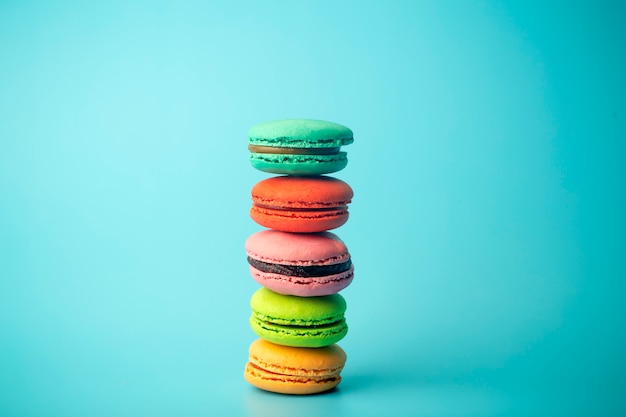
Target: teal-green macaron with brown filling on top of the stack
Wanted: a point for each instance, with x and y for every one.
(299, 146)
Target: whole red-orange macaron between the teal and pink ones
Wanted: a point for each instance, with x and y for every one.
(301, 204)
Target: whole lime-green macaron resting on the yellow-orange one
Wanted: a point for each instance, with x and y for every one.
(298, 321)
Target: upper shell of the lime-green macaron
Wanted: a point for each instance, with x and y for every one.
(289, 310)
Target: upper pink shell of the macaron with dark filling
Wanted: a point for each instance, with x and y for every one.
(297, 248)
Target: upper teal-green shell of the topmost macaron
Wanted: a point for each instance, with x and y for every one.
(300, 133)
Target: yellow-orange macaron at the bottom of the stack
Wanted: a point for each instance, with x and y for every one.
(291, 370)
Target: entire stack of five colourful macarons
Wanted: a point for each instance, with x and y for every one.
(301, 266)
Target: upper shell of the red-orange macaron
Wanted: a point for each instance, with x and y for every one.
(292, 192)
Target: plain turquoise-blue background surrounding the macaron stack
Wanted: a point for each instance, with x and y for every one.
(487, 227)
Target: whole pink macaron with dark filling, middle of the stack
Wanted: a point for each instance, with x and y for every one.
(301, 264)
